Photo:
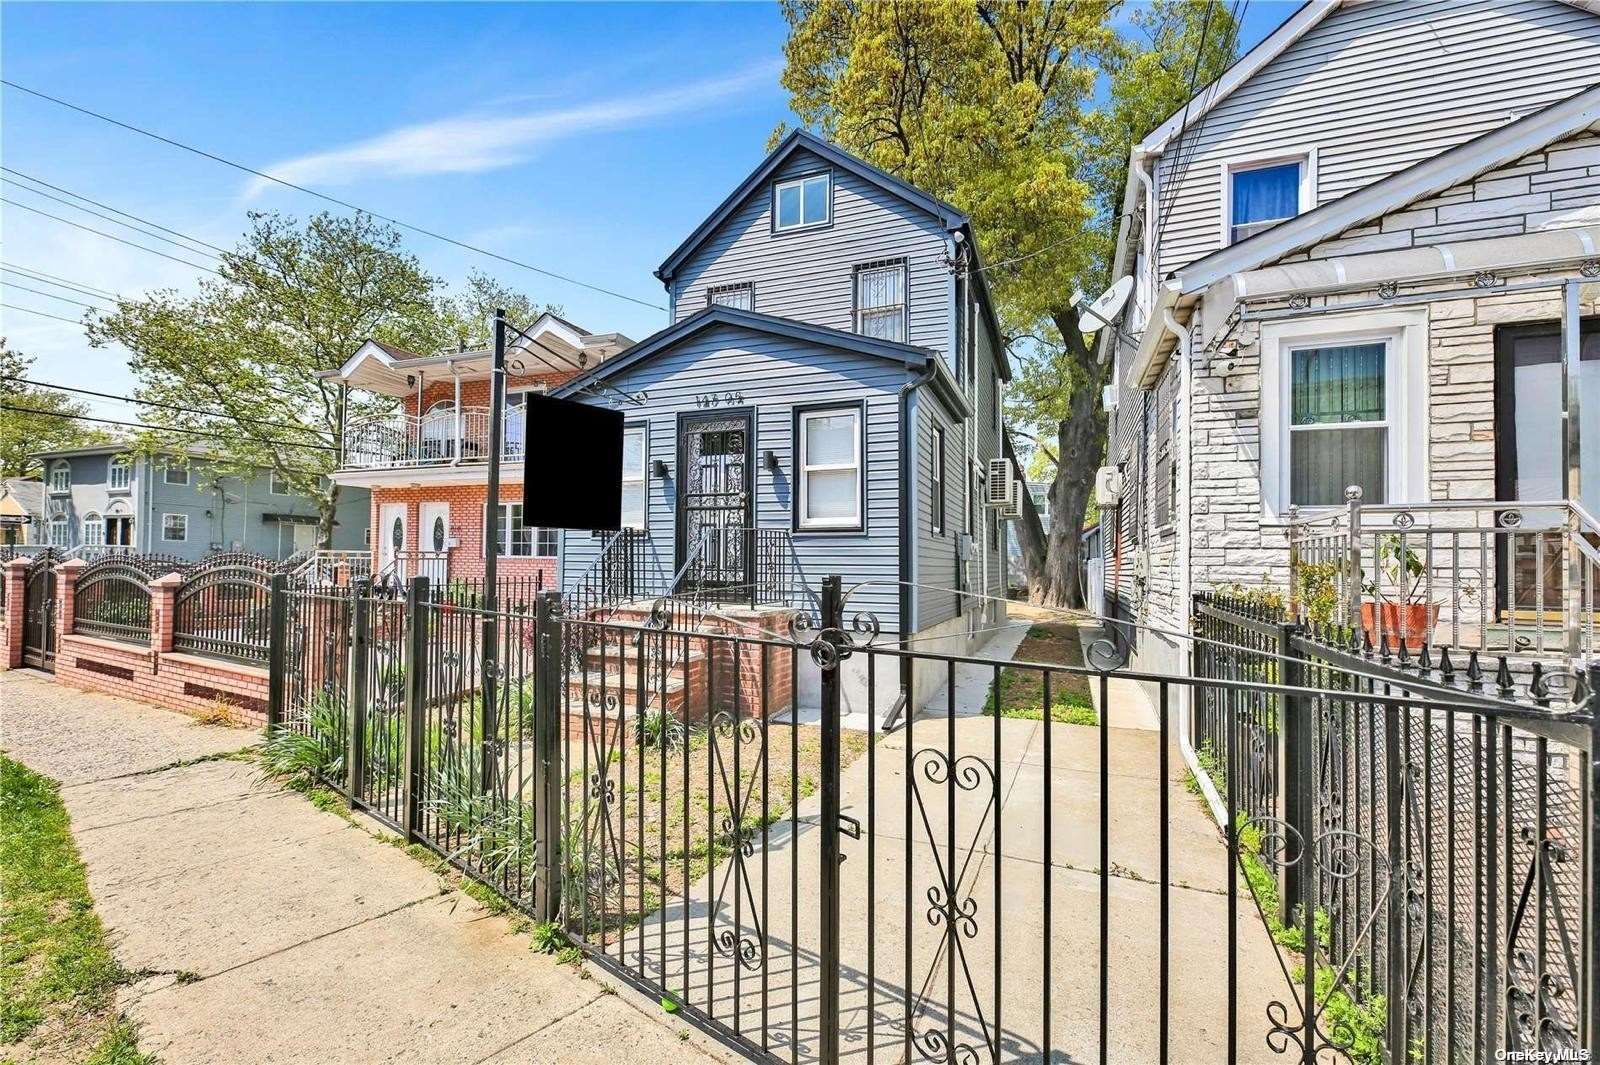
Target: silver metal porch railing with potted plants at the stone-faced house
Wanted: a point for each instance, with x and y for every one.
(1505, 578)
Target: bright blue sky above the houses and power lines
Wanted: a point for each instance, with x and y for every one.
(583, 138)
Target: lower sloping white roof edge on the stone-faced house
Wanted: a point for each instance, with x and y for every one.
(1420, 181)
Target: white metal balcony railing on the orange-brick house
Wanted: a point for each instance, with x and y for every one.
(438, 439)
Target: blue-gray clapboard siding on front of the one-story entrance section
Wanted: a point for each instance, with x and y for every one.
(775, 377)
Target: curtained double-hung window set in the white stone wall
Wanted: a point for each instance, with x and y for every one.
(1338, 423)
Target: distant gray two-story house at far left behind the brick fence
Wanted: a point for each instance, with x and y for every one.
(174, 505)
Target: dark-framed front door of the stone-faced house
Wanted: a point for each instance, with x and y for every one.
(1529, 463)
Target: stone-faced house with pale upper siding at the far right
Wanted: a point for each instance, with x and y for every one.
(1332, 284)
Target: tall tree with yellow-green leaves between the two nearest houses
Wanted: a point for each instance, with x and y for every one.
(1022, 114)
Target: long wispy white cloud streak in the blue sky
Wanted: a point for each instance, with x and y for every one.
(478, 143)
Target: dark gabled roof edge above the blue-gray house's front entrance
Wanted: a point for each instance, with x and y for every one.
(910, 356)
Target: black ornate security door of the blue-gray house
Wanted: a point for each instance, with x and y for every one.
(714, 509)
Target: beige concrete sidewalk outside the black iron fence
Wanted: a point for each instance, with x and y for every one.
(270, 931)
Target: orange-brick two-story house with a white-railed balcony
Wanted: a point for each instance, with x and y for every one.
(426, 463)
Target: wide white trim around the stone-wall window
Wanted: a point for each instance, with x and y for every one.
(1406, 401)
